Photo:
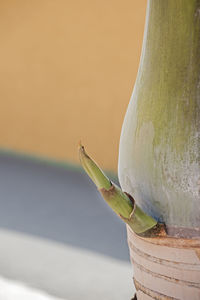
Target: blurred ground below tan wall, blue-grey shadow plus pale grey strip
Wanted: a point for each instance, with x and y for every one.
(58, 235)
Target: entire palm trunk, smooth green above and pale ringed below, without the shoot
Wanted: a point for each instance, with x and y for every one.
(159, 157)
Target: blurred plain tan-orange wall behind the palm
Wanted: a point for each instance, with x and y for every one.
(67, 70)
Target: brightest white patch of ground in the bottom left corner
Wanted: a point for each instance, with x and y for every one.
(12, 290)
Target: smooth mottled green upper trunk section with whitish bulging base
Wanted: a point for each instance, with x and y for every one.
(159, 159)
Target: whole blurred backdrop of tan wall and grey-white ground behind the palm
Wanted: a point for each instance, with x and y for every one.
(67, 70)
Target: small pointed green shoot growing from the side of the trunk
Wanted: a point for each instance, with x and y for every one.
(121, 203)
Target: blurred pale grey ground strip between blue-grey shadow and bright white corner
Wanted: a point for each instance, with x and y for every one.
(66, 272)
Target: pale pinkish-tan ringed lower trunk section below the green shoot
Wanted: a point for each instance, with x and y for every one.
(165, 268)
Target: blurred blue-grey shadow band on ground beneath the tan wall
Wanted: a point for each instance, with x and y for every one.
(59, 204)
